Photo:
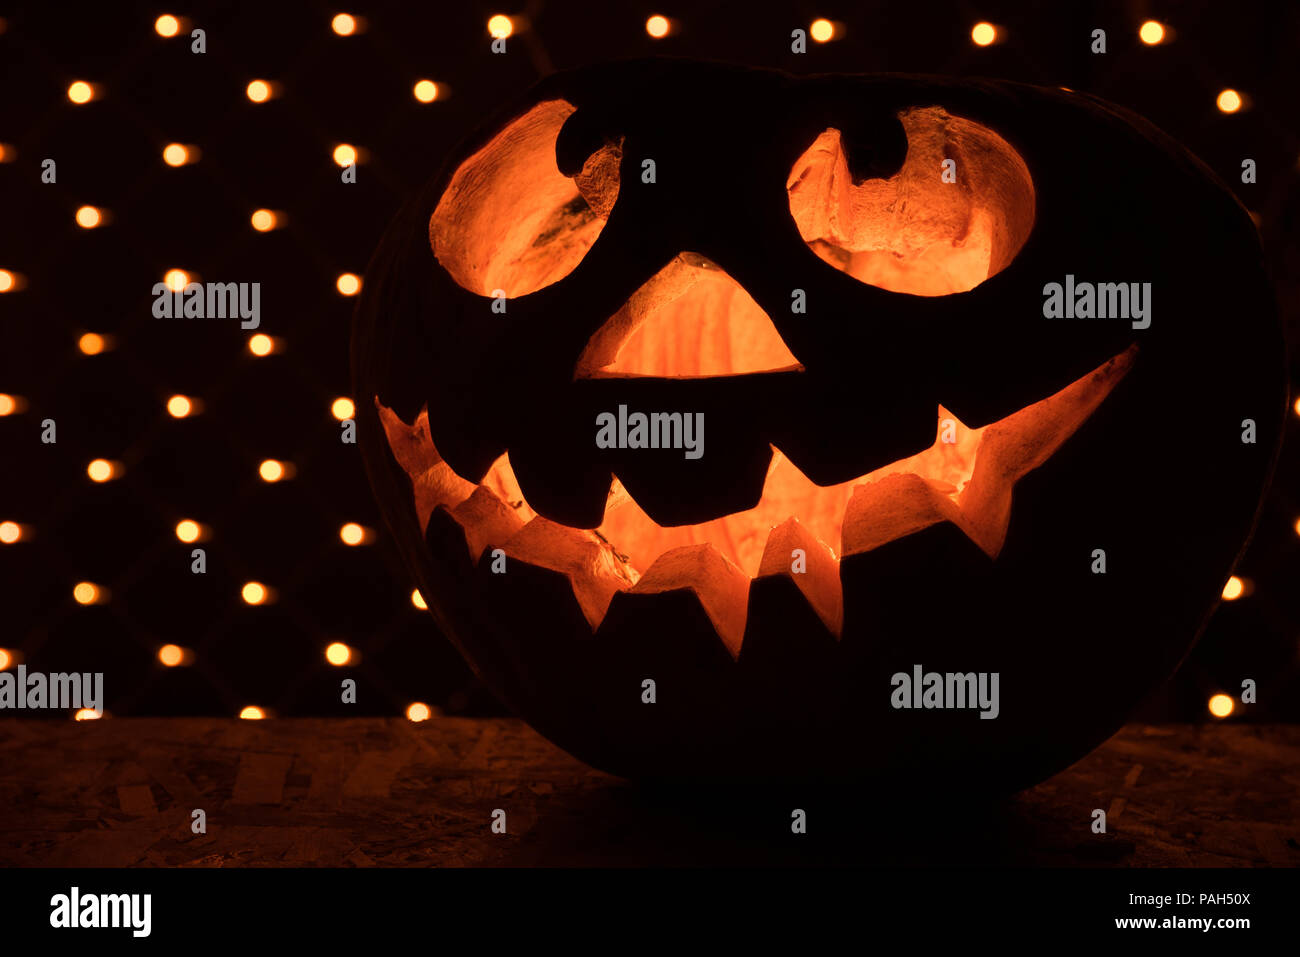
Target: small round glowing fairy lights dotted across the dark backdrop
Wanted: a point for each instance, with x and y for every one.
(353, 535)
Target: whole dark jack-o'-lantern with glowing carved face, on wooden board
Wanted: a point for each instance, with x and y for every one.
(733, 425)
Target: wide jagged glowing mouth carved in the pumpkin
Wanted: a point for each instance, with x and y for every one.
(798, 529)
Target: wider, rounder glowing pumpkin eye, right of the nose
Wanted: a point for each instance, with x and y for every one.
(918, 232)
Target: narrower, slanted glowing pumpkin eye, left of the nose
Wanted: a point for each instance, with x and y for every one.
(510, 220)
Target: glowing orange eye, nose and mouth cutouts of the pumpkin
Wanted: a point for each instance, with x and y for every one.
(510, 220)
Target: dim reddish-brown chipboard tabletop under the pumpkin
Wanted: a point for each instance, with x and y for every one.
(387, 793)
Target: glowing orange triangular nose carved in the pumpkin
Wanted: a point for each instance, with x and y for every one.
(688, 321)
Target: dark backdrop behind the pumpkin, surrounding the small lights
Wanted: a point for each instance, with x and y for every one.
(278, 155)
